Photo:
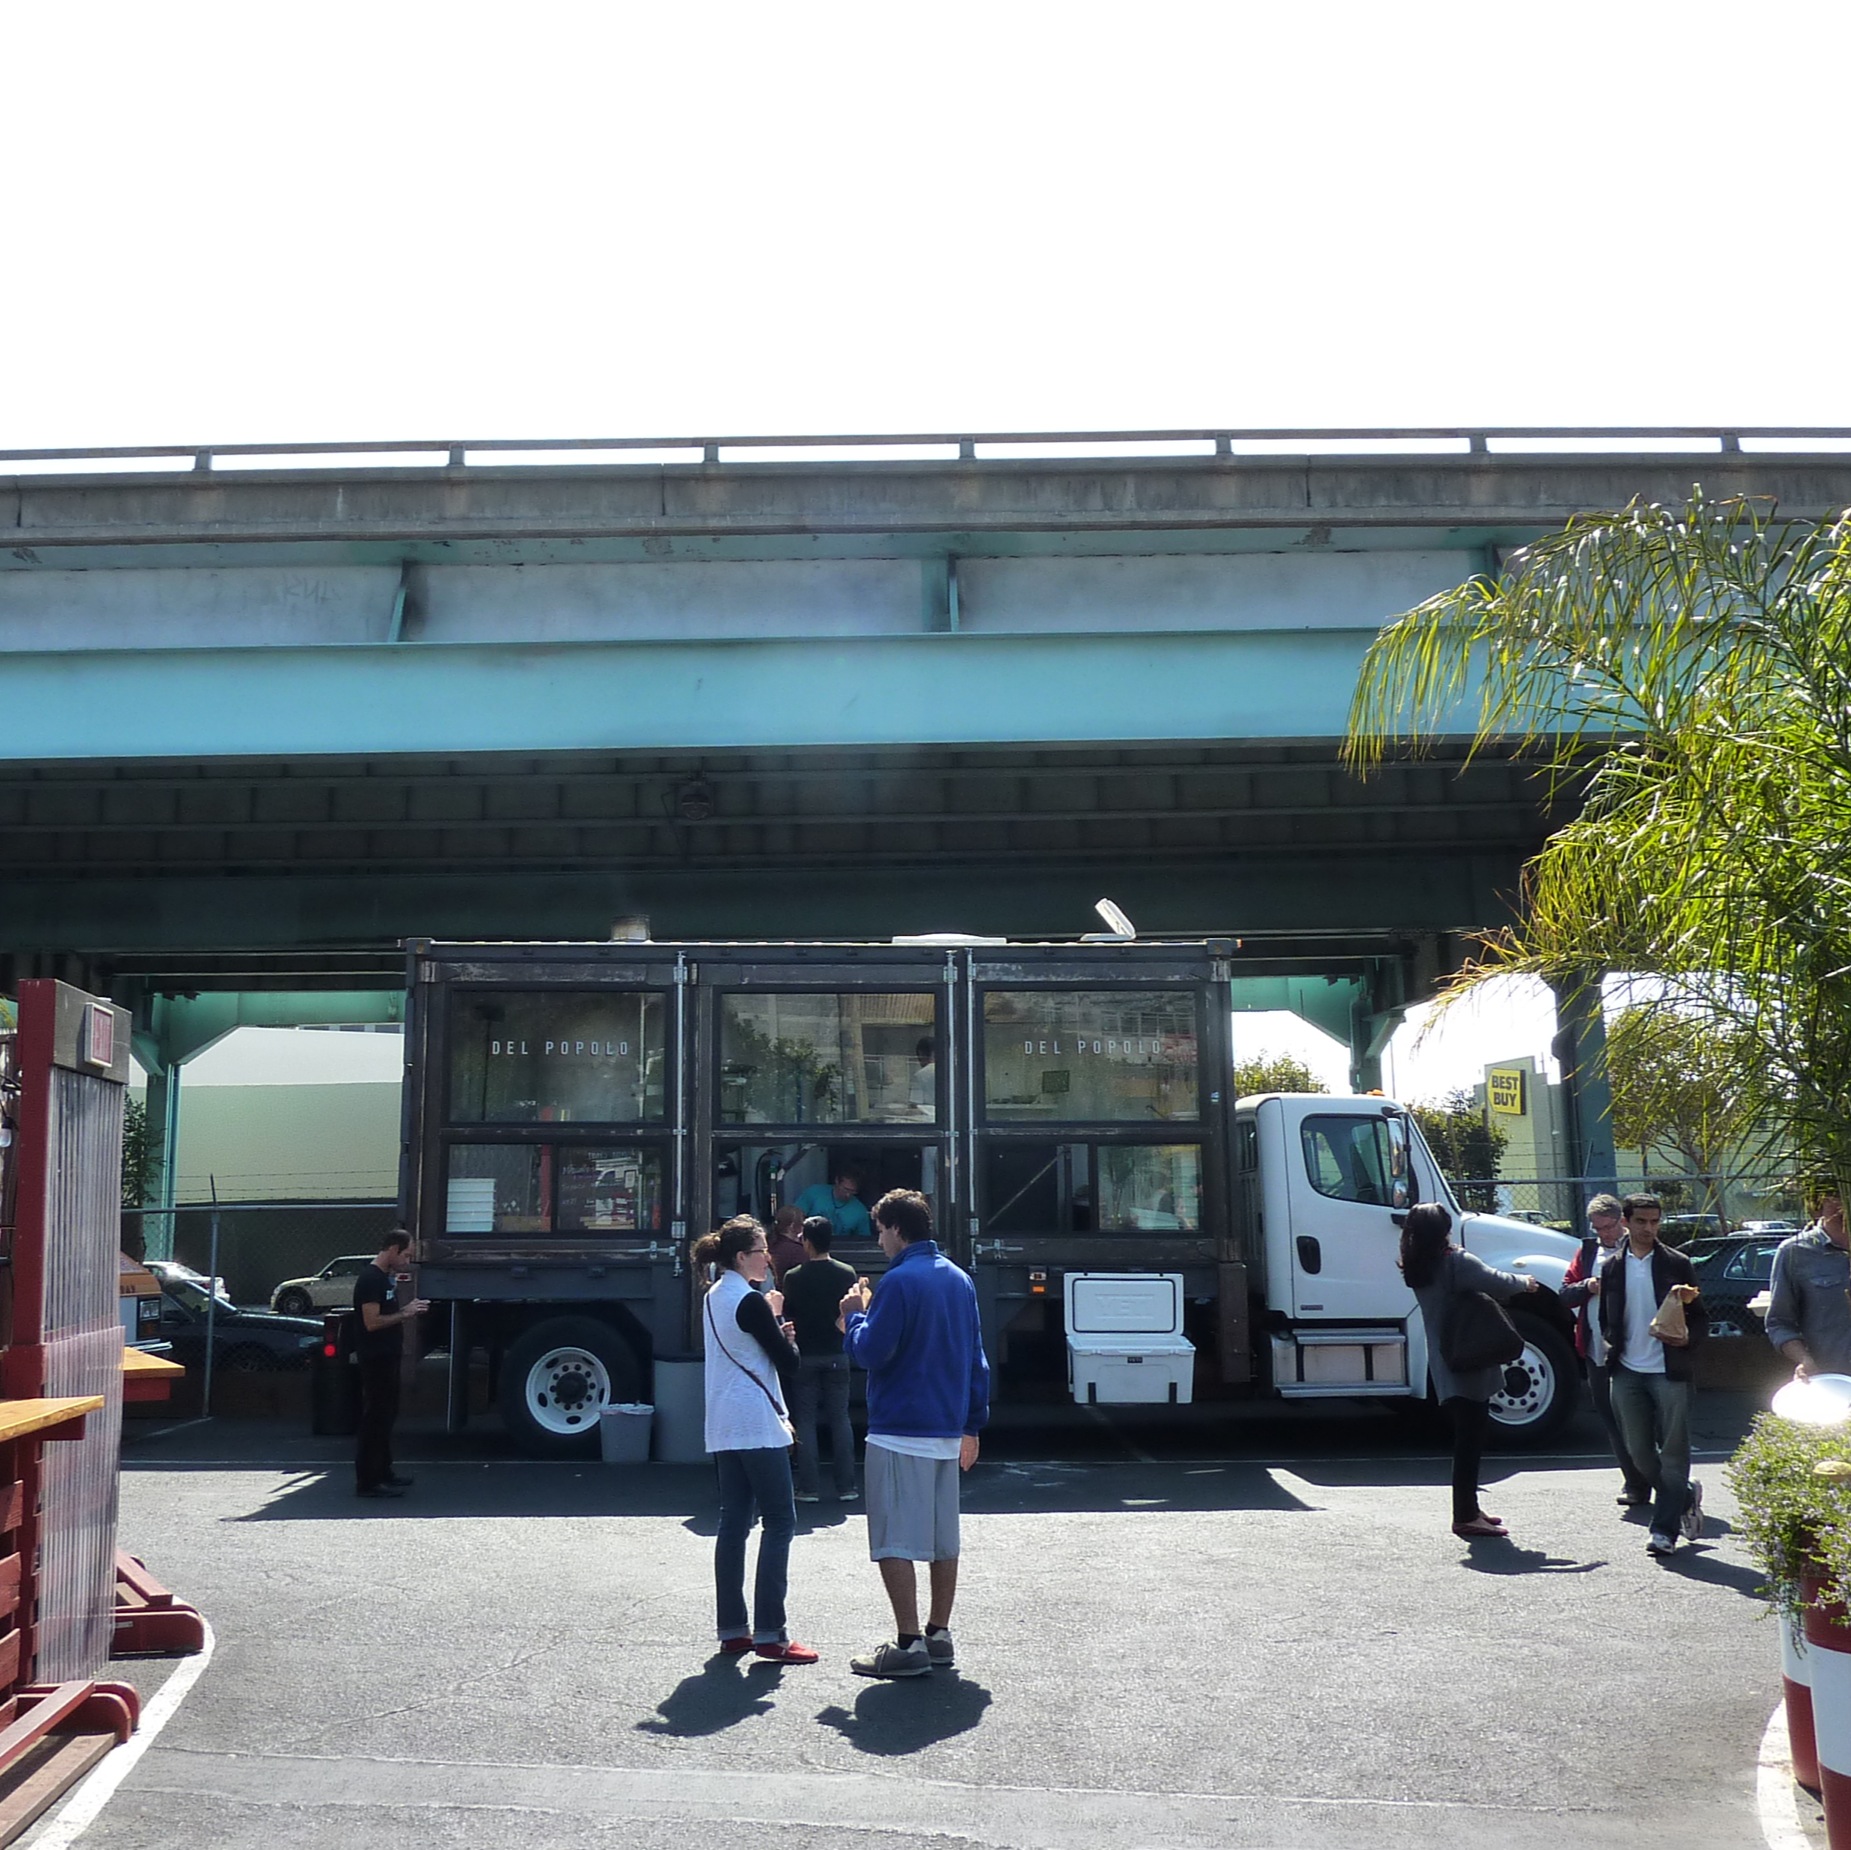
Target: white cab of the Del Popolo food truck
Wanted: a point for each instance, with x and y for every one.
(1324, 1186)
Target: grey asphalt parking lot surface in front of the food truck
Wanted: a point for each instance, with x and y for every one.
(1171, 1634)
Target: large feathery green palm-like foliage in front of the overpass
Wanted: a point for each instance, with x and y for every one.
(1683, 675)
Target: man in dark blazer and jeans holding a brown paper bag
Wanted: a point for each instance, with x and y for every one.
(1652, 1371)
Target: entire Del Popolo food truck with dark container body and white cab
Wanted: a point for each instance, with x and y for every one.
(577, 1114)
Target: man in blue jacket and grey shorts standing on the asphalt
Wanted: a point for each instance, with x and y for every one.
(928, 1399)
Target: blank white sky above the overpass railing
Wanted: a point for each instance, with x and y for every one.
(288, 221)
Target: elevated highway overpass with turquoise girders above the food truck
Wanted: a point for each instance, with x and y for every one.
(273, 710)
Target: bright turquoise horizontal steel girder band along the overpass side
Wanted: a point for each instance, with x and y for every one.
(664, 695)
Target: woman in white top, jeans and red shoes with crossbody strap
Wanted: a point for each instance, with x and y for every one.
(749, 1434)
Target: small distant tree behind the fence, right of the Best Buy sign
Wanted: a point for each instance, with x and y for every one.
(1685, 1084)
